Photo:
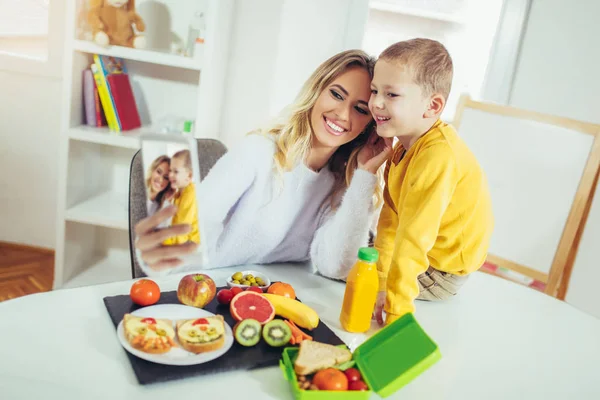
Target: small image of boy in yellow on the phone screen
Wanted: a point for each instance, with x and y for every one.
(180, 176)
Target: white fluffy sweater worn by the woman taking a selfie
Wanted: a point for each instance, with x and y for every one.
(251, 214)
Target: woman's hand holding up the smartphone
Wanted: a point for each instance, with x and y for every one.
(149, 241)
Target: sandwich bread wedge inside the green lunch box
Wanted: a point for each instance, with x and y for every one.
(314, 356)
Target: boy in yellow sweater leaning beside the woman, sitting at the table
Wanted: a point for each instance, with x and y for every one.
(436, 222)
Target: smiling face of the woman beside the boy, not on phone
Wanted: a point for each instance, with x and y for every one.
(341, 111)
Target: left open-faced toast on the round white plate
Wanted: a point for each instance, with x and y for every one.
(149, 335)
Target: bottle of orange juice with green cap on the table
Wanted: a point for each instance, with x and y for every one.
(361, 292)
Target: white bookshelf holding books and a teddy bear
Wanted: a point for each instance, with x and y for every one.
(93, 225)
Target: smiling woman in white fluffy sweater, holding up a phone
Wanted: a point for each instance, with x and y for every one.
(301, 189)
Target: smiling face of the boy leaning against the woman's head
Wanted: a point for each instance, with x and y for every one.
(397, 102)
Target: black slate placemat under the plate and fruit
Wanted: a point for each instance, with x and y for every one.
(238, 357)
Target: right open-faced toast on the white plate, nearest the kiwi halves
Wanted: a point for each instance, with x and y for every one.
(201, 335)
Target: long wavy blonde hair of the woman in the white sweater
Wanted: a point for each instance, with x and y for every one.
(293, 135)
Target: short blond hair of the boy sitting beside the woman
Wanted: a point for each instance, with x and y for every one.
(429, 62)
